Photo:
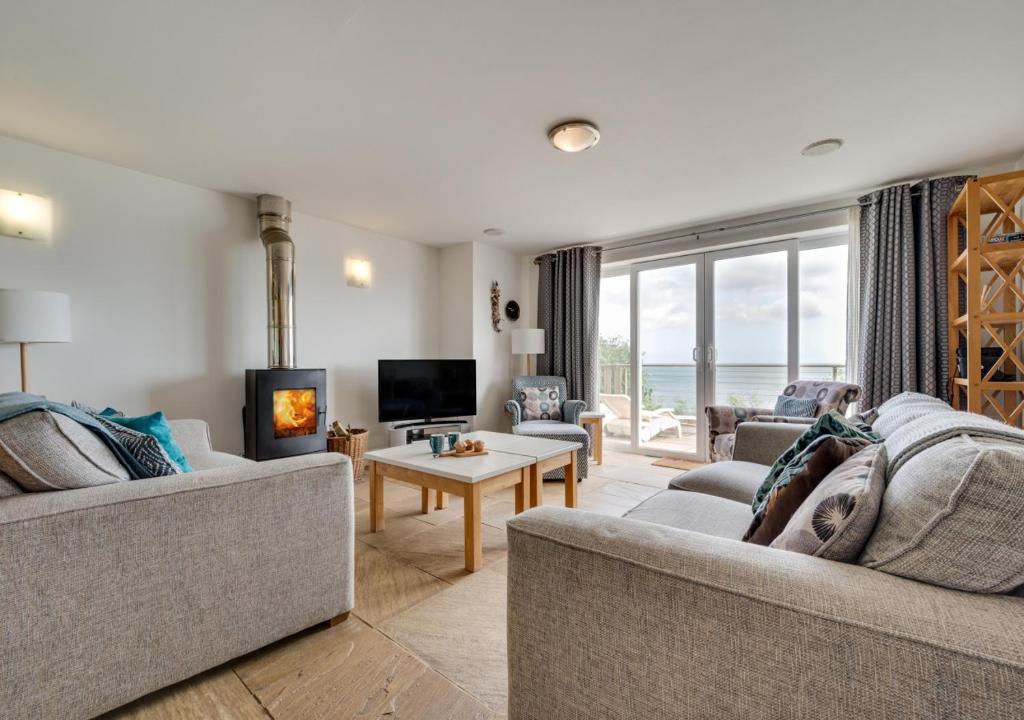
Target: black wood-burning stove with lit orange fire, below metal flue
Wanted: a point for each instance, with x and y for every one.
(285, 413)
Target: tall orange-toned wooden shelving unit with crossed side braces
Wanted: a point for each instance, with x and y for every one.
(987, 279)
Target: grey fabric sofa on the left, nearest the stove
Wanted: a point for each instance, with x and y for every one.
(111, 592)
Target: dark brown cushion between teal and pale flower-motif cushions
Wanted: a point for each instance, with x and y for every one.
(798, 481)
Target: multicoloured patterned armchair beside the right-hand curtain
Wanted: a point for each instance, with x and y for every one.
(722, 420)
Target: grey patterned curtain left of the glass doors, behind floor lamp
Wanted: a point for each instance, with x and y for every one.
(569, 288)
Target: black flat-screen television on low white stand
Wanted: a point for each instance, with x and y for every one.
(425, 390)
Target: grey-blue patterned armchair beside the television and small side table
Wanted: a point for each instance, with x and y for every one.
(566, 428)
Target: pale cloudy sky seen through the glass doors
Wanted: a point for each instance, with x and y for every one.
(750, 310)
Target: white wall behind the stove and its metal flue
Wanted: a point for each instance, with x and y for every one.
(167, 285)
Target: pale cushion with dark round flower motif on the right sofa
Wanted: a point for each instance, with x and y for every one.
(837, 519)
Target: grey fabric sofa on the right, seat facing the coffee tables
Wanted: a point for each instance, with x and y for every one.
(664, 614)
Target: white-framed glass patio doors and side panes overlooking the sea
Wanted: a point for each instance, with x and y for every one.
(730, 327)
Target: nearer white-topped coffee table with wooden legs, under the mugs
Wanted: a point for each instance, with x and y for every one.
(470, 479)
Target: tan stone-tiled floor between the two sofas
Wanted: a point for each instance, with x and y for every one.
(426, 640)
